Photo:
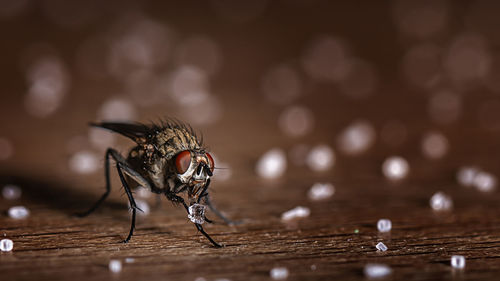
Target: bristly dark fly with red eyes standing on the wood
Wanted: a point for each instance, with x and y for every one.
(168, 159)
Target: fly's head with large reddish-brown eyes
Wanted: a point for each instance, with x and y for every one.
(194, 168)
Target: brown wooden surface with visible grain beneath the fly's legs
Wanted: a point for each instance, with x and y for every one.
(51, 244)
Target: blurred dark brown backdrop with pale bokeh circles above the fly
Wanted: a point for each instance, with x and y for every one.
(234, 66)
